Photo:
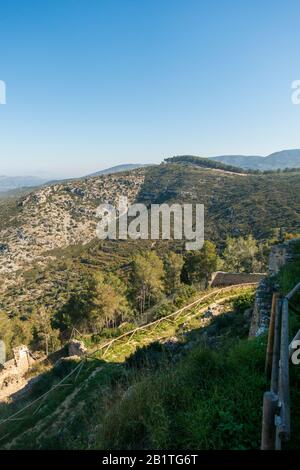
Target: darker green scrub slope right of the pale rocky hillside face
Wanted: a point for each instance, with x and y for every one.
(234, 204)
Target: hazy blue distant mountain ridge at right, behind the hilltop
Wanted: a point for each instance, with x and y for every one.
(274, 161)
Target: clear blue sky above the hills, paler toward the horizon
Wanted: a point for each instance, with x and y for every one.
(94, 83)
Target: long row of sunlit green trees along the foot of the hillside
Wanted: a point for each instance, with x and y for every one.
(104, 300)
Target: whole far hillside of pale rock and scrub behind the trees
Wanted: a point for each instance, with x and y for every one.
(47, 237)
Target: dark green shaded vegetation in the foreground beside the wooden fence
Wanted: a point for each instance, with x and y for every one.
(209, 400)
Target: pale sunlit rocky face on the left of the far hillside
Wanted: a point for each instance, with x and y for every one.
(57, 216)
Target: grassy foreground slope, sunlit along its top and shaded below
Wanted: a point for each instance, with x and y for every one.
(166, 395)
